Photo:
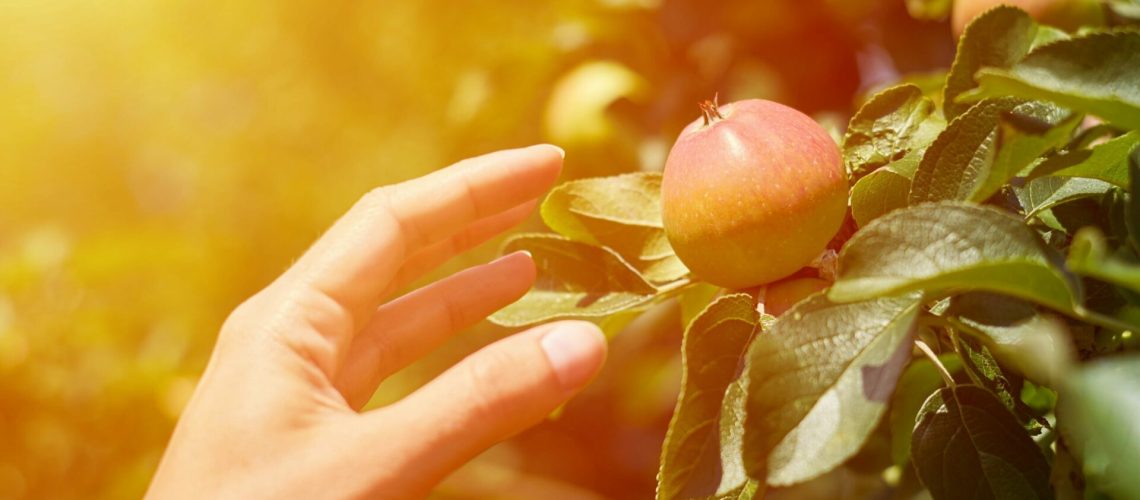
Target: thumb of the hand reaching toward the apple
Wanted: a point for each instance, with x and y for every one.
(494, 395)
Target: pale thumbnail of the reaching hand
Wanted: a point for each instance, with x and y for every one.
(575, 351)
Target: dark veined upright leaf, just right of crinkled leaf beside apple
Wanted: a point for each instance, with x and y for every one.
(960, 160)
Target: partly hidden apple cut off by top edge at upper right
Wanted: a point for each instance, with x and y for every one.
(1068, 15)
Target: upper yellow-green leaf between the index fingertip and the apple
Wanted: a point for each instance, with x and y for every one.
(621, 212)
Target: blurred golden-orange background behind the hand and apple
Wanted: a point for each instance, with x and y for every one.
(162, 161)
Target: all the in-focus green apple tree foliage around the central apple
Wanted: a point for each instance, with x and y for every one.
(997, 234)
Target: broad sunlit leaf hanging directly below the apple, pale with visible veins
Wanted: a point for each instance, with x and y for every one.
(819, 383)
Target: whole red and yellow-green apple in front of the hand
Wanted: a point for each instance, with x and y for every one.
(753, 193)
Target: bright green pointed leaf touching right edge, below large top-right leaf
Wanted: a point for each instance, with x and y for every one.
(1108, 162)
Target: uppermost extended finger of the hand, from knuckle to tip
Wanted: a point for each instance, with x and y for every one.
(355, 260)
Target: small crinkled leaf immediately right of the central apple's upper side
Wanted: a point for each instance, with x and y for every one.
(887, 127)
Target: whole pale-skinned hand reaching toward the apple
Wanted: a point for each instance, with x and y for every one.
(279, 411)
